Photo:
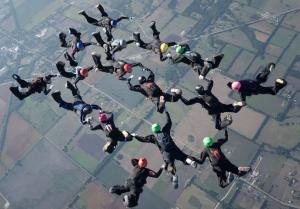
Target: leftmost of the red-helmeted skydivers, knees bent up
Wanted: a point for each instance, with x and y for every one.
(78, 73)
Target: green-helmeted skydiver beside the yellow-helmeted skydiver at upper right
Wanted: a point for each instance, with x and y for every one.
(194, 59)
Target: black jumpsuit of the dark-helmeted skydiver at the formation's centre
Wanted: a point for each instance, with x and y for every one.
(152, 91)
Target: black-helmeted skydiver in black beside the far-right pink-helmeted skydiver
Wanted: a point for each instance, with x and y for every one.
(212, 104)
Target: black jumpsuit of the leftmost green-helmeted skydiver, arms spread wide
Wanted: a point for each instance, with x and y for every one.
(169, 150)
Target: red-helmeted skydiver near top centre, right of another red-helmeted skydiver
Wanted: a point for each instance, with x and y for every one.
(118, 67)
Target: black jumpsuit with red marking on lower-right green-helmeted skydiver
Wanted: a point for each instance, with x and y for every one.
(219, 162)
